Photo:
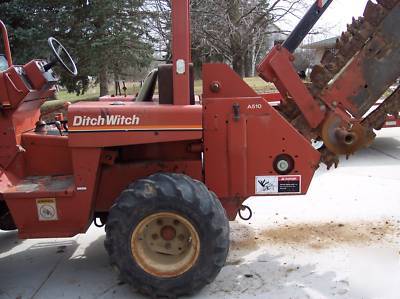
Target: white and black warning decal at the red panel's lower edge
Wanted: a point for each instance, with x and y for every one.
(278, 184)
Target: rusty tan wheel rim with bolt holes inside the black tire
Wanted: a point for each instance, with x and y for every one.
(165, 245)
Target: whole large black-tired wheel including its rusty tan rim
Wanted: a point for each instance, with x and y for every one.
(167, 235)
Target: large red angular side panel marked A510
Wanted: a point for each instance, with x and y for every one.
(243, 137)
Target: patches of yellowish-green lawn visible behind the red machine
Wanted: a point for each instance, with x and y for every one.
(93, 93)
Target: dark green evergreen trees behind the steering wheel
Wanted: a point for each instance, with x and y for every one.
(104, 36)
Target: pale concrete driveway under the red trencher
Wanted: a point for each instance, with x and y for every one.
(339, 241)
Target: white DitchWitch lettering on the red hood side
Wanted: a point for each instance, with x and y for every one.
(109, 120)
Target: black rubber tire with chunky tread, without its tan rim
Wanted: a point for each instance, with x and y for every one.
(182, 193)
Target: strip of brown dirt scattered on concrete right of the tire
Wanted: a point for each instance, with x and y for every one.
(314, 235)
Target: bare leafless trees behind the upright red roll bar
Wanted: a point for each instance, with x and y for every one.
(232, 31)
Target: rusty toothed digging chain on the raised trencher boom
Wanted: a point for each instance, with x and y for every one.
(358, 33)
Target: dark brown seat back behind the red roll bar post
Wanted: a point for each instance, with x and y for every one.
(166, 86)
